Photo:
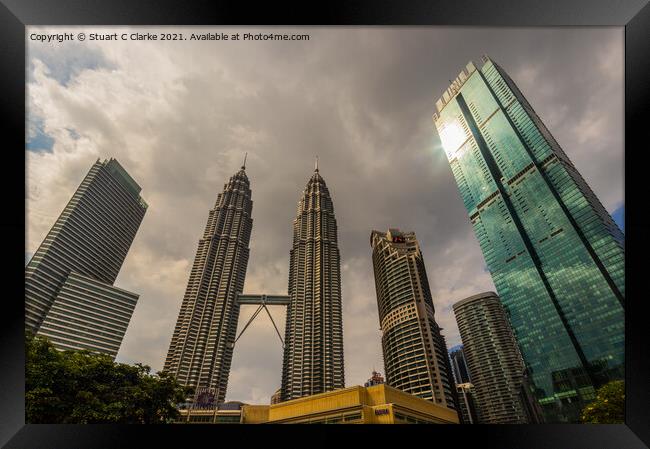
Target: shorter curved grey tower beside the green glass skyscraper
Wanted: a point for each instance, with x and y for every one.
(494, 362)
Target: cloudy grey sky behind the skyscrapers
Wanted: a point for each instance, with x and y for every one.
(179, 116)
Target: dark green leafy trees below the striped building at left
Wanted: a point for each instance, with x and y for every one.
(79, 387)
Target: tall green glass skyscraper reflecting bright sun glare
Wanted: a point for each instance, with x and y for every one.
(555, 255)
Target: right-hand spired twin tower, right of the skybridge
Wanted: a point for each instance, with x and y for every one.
(313, 352)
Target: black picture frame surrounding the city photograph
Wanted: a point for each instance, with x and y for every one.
(634, 15)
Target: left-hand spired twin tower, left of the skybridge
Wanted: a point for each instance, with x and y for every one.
(200, 352)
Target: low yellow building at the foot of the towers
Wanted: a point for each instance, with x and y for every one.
(378, 404)
